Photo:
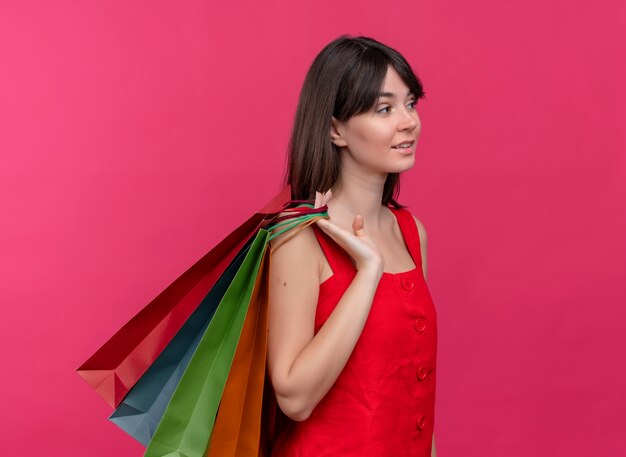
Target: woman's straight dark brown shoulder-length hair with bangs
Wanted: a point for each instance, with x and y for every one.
(344, 80)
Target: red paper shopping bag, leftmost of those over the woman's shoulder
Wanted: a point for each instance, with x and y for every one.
(121, 361)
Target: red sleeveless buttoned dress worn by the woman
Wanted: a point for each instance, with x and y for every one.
(383, 402)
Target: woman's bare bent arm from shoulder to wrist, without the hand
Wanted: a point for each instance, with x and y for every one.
(303, 366)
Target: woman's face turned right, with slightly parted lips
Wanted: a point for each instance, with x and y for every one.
(372, 139)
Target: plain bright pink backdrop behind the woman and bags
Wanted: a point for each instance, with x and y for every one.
(136, 134)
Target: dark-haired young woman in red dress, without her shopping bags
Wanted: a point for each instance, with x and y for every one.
(352, 326)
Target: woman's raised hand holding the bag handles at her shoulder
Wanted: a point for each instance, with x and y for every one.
(357, 244)
